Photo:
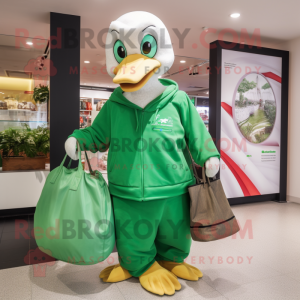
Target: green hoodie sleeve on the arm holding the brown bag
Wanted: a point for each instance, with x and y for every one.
(198, 139)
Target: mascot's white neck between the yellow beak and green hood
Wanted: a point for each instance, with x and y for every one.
(152, 89)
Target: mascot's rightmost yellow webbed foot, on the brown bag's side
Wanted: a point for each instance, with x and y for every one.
(182, 270)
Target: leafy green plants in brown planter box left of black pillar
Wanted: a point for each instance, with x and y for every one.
(24, 149)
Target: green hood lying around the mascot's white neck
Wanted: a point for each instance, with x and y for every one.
(157, 103)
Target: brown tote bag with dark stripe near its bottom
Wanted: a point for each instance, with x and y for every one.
(211, 216)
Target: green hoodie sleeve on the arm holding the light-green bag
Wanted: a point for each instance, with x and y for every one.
(96, 137)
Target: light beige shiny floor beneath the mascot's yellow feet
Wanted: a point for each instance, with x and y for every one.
(264, 264)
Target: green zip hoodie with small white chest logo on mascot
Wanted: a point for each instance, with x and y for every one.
(148, 158)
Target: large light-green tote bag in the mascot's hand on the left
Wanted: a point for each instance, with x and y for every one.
(74, 219)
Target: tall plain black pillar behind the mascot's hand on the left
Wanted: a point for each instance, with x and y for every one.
(65, 83)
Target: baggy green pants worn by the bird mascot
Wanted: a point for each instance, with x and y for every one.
(149, 231)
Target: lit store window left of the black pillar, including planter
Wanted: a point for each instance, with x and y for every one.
(24, 104)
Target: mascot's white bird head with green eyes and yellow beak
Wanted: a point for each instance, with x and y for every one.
(138, 47)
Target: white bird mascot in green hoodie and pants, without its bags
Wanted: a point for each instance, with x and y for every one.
(146, 124)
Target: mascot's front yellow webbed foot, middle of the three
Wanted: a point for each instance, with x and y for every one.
(160, 281)
